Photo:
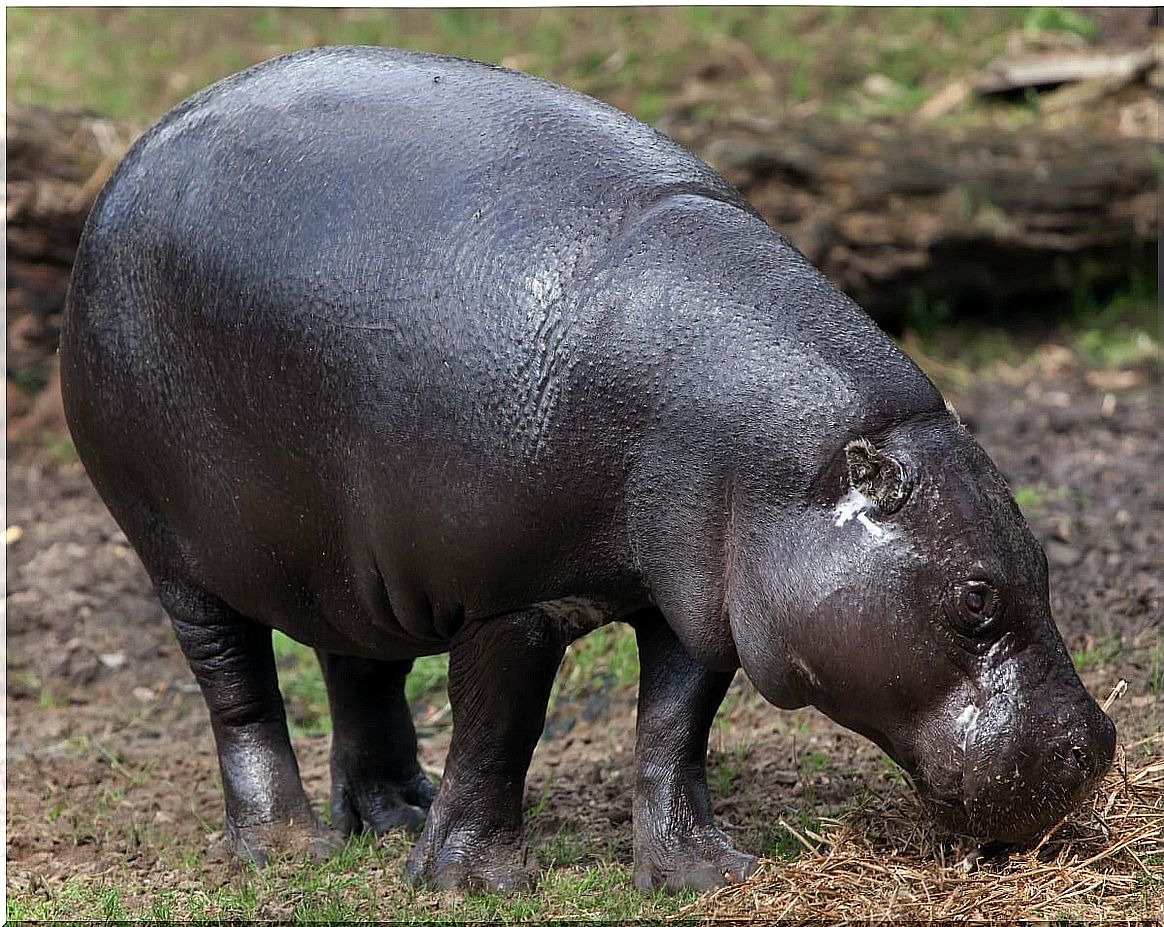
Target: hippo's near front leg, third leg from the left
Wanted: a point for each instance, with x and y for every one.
(500, 676)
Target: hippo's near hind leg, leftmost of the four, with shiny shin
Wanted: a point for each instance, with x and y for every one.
(267, 810)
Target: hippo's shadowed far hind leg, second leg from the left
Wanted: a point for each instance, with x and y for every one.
(377, 782)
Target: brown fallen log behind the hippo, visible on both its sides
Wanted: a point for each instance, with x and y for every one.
(900, 216)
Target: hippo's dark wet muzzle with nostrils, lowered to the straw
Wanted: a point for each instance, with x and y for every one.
(1023, 780)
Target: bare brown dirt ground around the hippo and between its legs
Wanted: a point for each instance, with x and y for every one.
(111, 763)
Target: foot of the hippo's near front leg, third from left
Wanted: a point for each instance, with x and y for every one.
(470, 865)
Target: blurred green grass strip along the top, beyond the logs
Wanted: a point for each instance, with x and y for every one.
(136, 63)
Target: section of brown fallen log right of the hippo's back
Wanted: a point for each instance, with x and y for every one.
(985, 223)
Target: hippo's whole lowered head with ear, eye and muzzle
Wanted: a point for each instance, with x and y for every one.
(915, 612)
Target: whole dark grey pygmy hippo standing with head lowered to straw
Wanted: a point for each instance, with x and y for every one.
(403, 355)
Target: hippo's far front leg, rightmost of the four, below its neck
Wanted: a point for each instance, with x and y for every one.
(677, 846)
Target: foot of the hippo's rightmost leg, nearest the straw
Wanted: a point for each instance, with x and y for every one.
(704, 861)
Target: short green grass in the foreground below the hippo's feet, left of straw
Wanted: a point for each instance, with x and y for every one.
(363, 882)
